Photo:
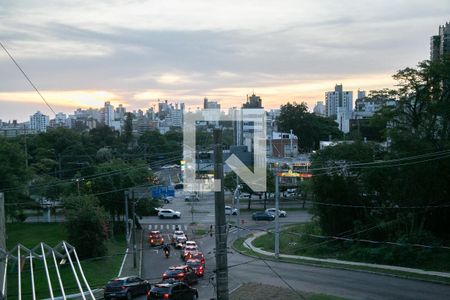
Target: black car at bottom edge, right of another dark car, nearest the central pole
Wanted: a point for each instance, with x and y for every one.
(174, 290)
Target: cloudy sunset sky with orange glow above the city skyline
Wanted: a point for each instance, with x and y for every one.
(81, 53)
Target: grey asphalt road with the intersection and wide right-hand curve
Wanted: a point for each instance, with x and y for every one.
(343, 283)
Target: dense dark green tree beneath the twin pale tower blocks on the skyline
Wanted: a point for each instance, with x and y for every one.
(309, 128)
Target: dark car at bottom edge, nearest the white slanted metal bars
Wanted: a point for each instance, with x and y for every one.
(125, 288)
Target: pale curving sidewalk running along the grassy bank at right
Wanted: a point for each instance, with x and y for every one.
(248, 244)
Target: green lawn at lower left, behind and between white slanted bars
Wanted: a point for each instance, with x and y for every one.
(97, 271)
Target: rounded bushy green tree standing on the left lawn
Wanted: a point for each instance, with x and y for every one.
(87, 226)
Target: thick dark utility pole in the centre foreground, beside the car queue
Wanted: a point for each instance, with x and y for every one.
(221, 230)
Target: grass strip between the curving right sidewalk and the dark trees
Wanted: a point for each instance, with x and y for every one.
(436, 260)
